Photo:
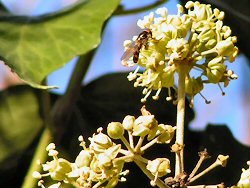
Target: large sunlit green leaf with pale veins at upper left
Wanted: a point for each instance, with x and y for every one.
(35, 48)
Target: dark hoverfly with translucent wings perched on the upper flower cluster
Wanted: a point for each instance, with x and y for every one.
(135, 47)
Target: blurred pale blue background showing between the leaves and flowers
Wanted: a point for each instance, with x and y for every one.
(233, 109)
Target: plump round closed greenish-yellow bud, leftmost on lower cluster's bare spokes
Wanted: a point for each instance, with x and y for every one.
(115, 130)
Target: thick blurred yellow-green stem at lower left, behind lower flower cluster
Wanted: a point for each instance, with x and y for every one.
(40, 154)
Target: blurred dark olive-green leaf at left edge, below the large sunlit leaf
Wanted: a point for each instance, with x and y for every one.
(20, 121)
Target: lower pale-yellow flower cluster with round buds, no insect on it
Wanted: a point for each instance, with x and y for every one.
(101, 164)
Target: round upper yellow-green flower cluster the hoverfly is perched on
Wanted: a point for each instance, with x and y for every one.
(196, 40)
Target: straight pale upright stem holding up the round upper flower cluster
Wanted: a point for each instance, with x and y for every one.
(179, 162)
